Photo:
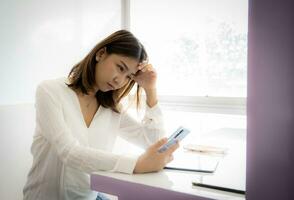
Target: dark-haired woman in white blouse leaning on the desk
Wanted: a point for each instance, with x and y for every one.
(79, 117)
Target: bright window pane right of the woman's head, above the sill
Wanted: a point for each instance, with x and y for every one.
(198, 47)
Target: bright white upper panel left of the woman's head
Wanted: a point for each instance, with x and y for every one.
(44, 39)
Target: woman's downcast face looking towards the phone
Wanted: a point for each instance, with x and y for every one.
(114, 71)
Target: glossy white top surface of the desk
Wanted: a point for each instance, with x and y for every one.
(230, 170)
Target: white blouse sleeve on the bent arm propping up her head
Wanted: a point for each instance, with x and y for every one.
(146, 132)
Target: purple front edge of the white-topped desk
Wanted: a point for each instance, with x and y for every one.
(126, 190)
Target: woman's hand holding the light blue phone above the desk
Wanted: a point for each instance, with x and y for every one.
(152, 160)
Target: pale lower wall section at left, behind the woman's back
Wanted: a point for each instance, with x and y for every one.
(17, 127)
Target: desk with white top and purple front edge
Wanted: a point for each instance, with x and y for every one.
(174, 185)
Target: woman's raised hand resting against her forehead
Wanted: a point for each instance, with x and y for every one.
(146, 76)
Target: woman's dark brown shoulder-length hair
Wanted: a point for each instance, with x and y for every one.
(82, 75)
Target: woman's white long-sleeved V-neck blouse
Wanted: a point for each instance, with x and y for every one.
(65, 151)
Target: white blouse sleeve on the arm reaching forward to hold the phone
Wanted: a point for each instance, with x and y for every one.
(52, 126)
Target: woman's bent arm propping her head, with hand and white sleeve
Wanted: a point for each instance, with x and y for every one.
(151, 129)
